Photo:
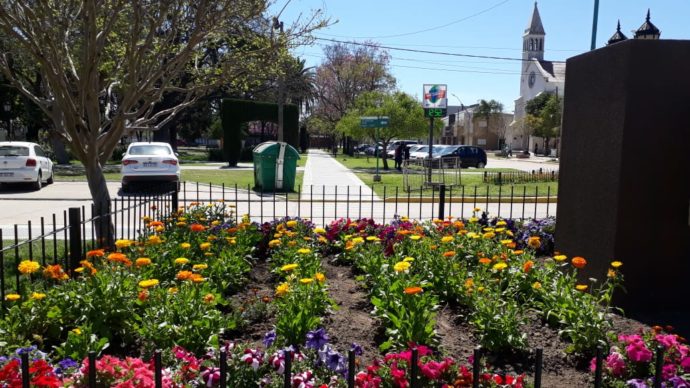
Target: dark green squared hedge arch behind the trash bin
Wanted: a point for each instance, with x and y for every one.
(234, 112)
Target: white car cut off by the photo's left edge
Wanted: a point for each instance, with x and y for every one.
(23, 162)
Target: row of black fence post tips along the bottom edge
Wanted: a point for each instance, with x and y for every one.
(414, 371)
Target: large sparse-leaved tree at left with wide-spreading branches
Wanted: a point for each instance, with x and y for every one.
(107, 64)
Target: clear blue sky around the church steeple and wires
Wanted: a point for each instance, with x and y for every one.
(477, 27)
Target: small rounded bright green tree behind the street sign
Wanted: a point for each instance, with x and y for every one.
(406, 119)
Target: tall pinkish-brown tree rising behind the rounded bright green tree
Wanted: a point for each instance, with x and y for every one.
(347, 72)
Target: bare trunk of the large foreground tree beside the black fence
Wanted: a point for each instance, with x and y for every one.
(101, 201)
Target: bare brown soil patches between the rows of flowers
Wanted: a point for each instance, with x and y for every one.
(353, 322)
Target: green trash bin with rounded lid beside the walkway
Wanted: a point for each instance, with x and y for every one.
(275, 166)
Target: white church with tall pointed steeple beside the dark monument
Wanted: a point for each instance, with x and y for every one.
(537, 76)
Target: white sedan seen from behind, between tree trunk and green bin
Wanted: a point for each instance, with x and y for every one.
(147, 162)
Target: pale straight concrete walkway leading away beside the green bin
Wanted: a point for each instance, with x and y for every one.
(323, 174)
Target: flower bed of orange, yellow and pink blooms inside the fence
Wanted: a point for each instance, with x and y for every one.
(188, 284)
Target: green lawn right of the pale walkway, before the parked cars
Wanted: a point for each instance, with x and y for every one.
(391, 180)
